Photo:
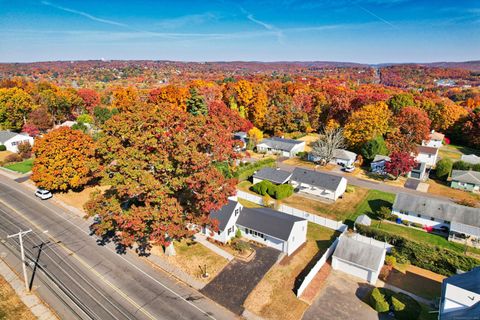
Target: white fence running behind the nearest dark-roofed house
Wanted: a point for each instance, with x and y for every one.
(325, 222)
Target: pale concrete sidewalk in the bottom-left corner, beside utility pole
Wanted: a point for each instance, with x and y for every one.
(32, 302)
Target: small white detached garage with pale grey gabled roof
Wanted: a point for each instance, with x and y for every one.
(358, 258)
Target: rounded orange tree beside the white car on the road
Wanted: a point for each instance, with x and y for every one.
(64, 159)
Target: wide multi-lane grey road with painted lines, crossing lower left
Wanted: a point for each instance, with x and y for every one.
(107, 285)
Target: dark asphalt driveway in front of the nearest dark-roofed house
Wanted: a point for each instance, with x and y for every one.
(233, 285)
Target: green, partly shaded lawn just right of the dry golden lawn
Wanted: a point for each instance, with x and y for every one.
(374, 200)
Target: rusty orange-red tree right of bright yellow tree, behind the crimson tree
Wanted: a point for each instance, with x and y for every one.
(412, 125)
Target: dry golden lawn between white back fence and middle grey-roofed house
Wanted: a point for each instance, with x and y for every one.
(341, 209)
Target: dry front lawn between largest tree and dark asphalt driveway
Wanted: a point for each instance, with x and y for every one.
(190, 255)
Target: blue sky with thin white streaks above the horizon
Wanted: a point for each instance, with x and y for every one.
(366, 31)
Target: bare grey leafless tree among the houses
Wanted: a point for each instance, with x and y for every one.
(324, 147)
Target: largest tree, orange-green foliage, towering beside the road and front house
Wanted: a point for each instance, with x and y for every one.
(160, 164)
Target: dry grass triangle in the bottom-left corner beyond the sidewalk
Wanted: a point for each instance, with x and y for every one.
(11, 307)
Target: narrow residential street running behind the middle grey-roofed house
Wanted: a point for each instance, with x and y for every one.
(368, 183)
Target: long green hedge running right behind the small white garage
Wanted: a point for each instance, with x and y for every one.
(439, 260)
